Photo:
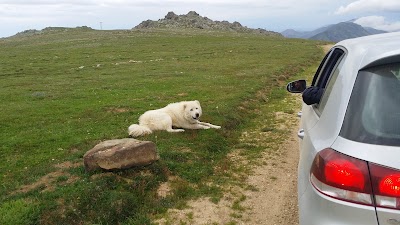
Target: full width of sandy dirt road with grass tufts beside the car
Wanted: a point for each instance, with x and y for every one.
(268, 194)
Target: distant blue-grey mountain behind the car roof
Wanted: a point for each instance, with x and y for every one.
(334, 33)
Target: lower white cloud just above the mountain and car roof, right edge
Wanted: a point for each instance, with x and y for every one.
(378, 22)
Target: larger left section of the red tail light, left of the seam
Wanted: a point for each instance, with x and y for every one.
(342, 177)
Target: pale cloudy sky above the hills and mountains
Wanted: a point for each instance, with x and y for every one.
(274, 15)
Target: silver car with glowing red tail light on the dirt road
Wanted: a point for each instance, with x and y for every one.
(349, 166)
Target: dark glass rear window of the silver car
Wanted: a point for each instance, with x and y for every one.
(373, 114)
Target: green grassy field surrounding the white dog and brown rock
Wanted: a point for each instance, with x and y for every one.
(65, 91)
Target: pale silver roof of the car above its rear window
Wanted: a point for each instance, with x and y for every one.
(365, 49)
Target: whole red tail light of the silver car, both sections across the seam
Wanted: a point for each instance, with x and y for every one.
(346, 178)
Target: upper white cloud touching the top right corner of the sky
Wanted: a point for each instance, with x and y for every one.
(370, 6)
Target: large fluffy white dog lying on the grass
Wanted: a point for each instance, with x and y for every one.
(184, 114)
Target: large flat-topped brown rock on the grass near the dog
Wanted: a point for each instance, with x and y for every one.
(120, 154)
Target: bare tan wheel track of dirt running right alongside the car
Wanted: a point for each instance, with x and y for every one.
(276, 199)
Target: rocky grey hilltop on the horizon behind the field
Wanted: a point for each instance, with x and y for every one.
(193, 20)
